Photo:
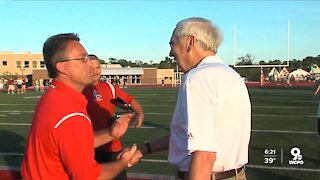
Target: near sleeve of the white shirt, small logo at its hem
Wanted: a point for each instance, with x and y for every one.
(201, 112)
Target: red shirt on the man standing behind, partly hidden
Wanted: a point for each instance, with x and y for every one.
(100, 109)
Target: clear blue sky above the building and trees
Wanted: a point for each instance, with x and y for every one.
(141, 30)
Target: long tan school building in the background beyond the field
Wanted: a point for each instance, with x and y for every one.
(31, 65)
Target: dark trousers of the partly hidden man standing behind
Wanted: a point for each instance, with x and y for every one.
(103, 157)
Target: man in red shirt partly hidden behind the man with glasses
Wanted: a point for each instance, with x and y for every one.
(101, 111)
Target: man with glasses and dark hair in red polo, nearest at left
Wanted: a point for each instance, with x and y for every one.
(61, 141)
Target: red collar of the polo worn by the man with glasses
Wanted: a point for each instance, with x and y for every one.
(69, 91)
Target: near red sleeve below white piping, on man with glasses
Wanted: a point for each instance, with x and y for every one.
(76, 147)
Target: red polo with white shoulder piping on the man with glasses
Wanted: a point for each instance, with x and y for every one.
(60, 143)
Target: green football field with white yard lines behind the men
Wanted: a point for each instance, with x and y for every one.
(284, 143)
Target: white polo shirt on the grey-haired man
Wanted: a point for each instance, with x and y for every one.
(213, 113)
